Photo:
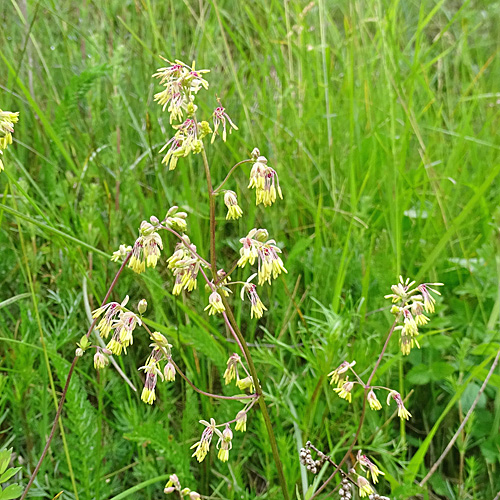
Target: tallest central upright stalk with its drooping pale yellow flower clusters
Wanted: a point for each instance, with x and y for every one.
(181, 85)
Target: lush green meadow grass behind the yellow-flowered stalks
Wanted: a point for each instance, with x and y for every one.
(381, 118)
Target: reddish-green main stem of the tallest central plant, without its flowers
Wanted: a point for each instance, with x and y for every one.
(246, 352)
